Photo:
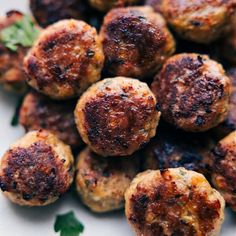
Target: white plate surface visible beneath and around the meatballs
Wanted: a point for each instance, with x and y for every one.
(20, 221)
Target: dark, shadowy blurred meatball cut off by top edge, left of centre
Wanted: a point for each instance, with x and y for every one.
(47, 12)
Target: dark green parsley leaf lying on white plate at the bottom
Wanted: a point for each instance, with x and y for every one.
(68, 225)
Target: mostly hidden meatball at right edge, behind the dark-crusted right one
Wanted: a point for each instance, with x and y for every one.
(229, 124)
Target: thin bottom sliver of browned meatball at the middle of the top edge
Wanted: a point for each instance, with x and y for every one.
(104, 5)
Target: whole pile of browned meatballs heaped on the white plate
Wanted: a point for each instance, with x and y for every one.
(132, 101)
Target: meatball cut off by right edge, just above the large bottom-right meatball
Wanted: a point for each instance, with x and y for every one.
(223, 163)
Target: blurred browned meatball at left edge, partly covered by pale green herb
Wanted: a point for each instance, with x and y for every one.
(11, 69)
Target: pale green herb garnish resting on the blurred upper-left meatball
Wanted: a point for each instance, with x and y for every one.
(22, 32)
